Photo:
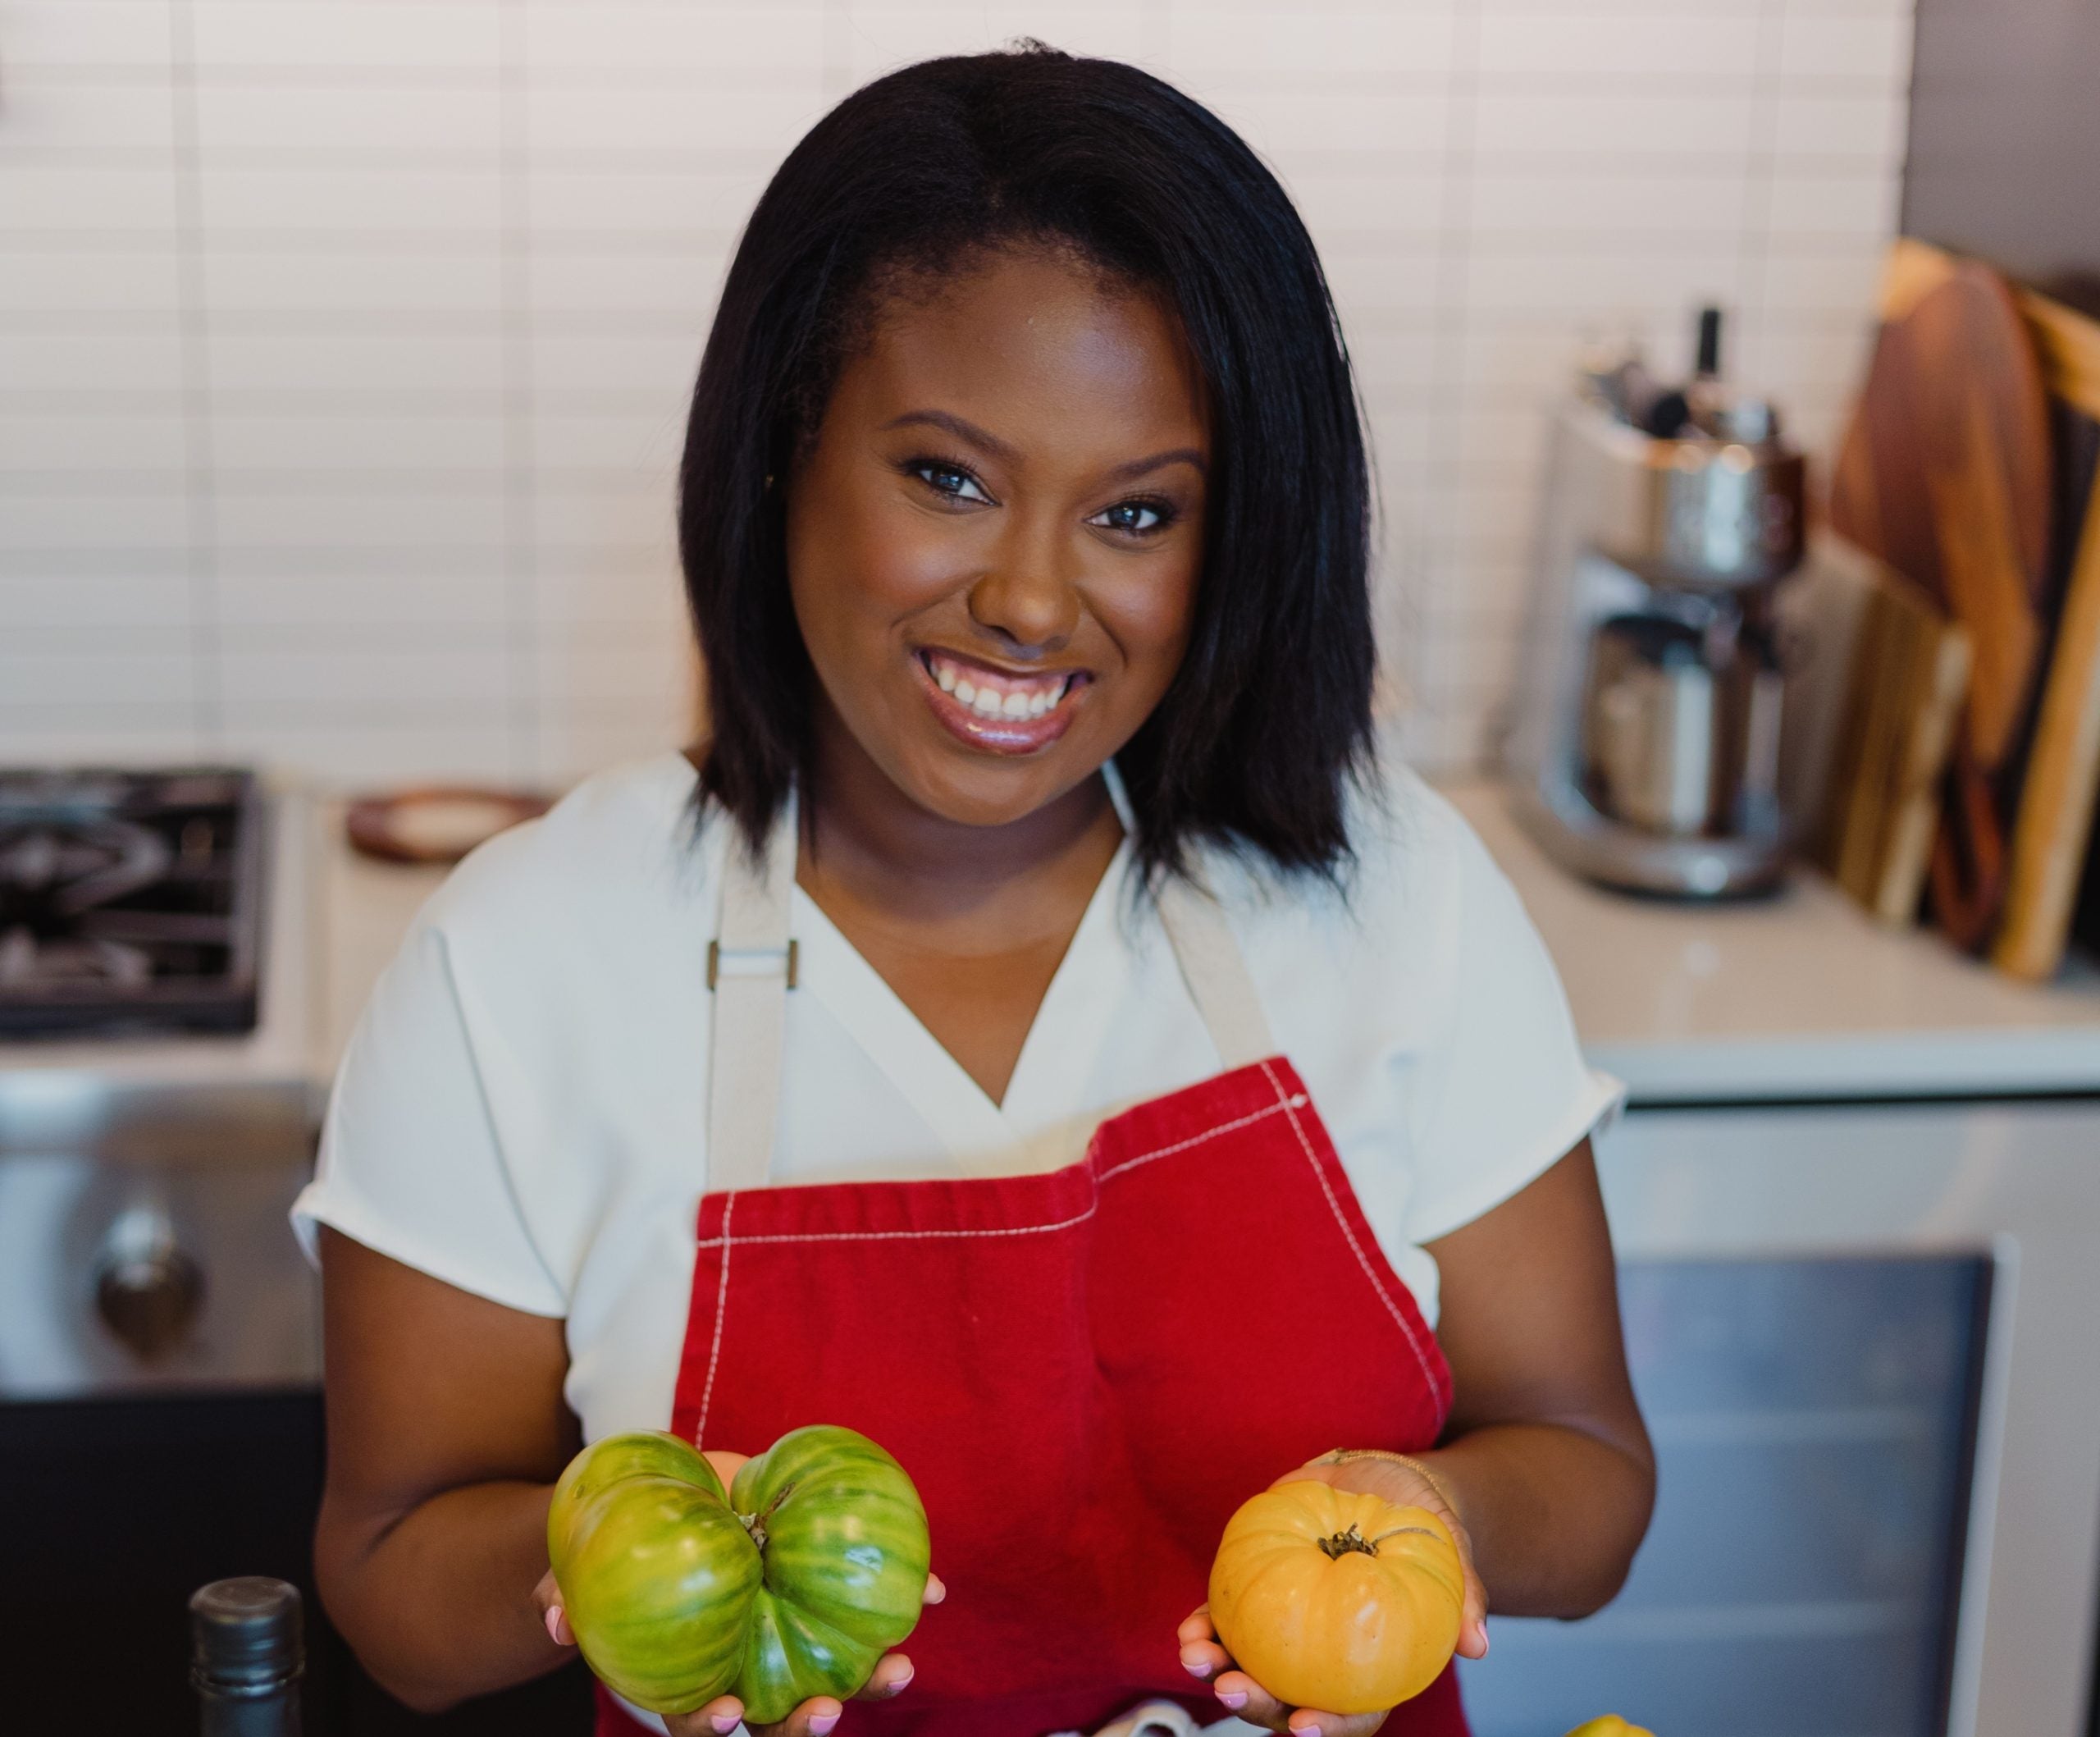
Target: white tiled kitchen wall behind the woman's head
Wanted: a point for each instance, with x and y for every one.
(343, 343)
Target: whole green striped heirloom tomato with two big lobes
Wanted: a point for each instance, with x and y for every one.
(791, 1587)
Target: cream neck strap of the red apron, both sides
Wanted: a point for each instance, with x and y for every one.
(753, 967)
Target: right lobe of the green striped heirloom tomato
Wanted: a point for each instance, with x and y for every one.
(845, 1551)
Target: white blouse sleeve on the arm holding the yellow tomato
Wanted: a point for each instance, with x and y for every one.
(1511, 1091)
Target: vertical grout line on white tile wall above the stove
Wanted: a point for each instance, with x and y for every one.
(194, 325)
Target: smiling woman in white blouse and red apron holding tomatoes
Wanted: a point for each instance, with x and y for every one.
(1036, 1030)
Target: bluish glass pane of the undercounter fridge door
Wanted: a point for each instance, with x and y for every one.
(1815, 1425)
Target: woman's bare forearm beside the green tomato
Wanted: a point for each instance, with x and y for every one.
(440, 1602)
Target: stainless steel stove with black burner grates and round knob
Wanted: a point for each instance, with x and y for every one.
(161, 1408)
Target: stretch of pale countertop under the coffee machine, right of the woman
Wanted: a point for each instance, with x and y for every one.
(1797, 997)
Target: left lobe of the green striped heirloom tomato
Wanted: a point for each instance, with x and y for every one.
(654, 1568)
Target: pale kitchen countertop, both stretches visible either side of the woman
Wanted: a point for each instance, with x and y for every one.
(1782, 1001)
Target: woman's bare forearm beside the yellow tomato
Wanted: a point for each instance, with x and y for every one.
(1555, 1513)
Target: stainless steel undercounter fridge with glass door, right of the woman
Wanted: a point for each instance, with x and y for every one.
(1862, 1333)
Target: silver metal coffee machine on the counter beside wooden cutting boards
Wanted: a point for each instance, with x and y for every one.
(1645, 738)
